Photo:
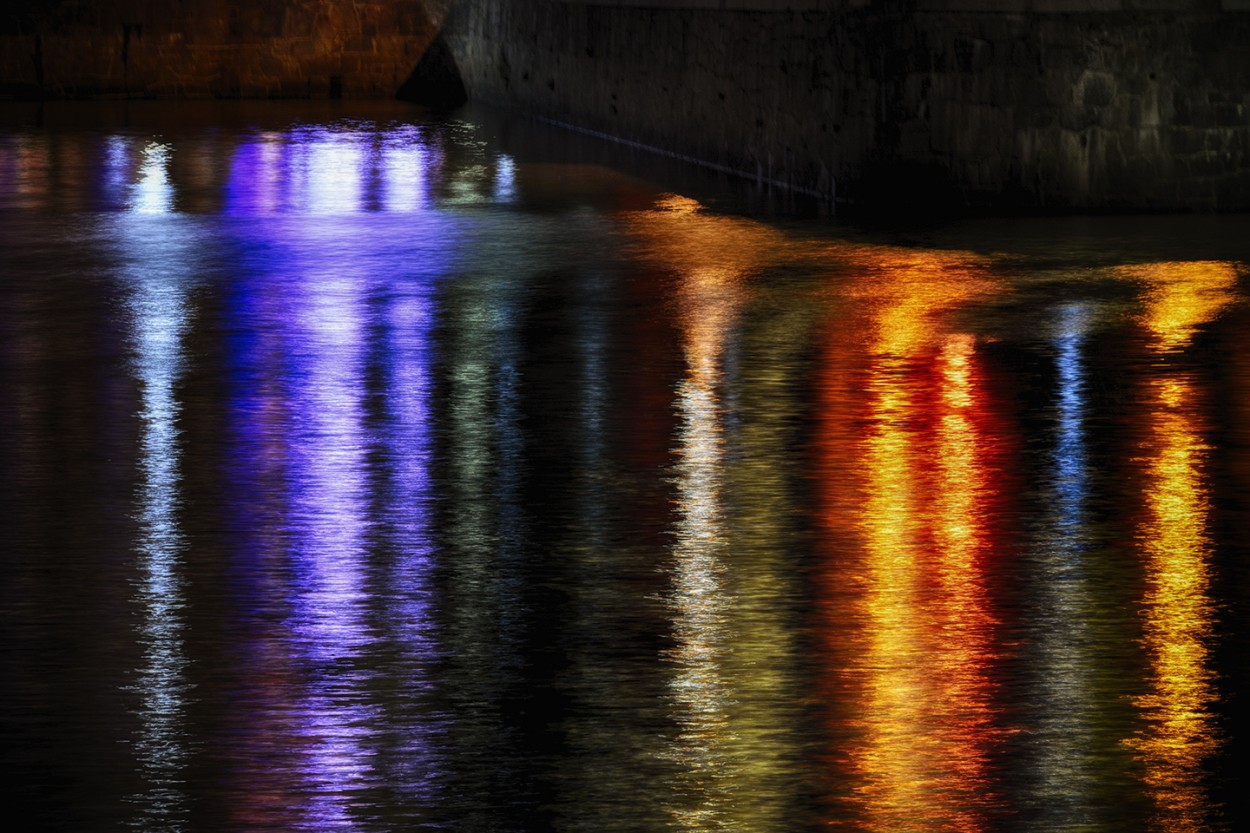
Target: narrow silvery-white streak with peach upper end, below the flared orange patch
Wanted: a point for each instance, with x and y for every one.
(711, 302)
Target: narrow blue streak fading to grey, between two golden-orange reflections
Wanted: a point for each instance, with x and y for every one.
(1077, 701)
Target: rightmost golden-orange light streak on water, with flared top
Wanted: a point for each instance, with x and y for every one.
(1178, 615)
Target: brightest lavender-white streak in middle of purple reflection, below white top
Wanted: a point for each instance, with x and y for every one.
(329, 523)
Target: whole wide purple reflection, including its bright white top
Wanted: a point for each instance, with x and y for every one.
(339, 303)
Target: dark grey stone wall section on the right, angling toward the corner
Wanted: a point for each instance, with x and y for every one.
(1033, 104)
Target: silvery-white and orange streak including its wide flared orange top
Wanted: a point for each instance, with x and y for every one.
(711, 296)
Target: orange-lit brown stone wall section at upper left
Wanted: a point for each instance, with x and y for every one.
(211, 48)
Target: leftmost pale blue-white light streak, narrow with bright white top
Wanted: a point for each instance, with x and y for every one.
(158, 257)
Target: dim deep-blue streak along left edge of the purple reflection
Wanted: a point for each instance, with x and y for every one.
(262, 746)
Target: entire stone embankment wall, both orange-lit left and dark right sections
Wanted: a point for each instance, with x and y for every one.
(1033, 104)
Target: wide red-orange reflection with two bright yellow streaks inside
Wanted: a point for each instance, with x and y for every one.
(914, 636)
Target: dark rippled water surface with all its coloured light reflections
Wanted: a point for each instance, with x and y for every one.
(379, 475)
